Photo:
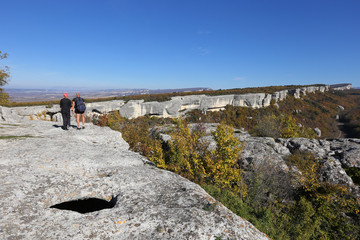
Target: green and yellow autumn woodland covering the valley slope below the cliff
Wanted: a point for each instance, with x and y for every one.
(305, 209)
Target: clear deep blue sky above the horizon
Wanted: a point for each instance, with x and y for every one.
(159, 44)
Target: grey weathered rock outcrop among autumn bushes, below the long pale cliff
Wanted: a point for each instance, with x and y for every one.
(334, 154)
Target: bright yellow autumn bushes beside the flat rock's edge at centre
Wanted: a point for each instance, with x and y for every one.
(190, 157)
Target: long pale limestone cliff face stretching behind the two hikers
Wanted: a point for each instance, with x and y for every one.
(177, 106)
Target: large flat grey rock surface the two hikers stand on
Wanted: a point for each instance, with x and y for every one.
(42, 165)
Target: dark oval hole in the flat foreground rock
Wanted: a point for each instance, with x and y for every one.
(86, 205)
